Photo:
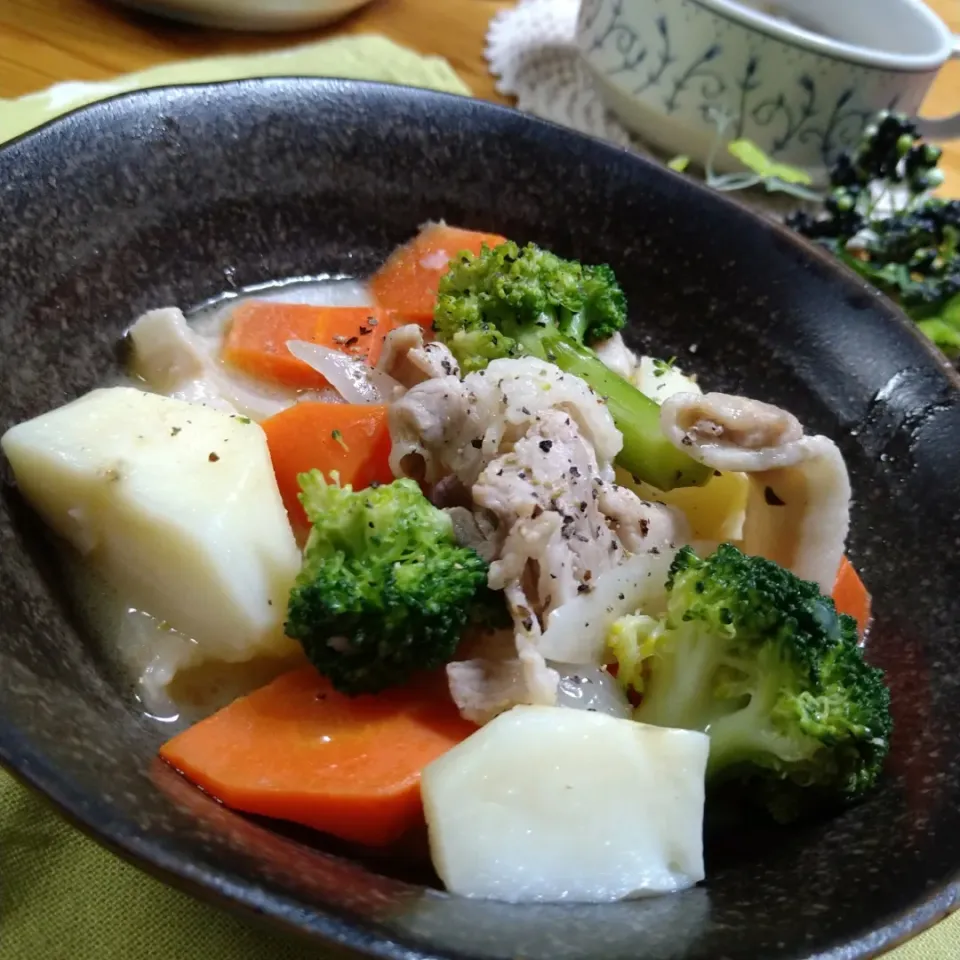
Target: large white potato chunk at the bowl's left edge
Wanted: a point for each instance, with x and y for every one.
(176, 504)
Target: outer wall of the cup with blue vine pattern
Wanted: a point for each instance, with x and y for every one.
(769, 90)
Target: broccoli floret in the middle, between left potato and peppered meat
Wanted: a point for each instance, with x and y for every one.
(384, 590)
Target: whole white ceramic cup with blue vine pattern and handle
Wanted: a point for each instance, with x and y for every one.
(802, 89)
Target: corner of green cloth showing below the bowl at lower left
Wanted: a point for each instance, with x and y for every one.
(64, 898)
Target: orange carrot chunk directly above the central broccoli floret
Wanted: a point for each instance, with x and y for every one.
(353, 439)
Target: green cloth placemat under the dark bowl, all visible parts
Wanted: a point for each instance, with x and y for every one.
(61, 896)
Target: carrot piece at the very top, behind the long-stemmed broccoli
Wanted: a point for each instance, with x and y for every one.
(407, 282)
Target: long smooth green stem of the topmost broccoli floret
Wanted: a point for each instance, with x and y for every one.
(647, 454)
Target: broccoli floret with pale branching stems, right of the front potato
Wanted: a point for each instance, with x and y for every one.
(763, 663)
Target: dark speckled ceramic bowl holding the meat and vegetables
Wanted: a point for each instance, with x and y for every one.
(173, 195)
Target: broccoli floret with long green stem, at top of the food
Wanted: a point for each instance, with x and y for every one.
(512, 302)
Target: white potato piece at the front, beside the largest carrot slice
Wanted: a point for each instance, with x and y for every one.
(547, 804)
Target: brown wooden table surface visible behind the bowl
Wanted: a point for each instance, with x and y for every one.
(43, 41)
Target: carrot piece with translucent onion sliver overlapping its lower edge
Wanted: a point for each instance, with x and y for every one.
(256, 340)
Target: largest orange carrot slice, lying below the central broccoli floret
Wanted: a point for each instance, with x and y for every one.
(298, 750)
